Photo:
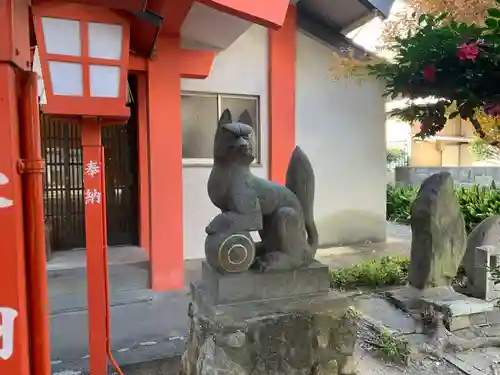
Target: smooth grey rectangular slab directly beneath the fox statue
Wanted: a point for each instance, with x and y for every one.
(253, 286)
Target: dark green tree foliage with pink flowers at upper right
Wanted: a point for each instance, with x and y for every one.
(456, 63)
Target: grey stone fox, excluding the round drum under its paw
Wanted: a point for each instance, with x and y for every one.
(283, 215)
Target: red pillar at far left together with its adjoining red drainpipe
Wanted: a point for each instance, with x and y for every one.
(24, 327)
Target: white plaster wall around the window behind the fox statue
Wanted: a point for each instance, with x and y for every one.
(240, 69)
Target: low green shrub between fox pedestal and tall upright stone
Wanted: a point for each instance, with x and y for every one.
(387, 271)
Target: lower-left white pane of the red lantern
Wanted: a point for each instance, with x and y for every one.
(66, 78)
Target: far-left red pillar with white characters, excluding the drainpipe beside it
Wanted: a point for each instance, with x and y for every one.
(14, 56)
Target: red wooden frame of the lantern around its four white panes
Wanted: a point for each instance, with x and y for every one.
(84, 105)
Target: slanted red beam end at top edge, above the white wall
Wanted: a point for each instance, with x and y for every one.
(269, 13)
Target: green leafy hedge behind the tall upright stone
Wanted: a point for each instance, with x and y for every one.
(477, 203)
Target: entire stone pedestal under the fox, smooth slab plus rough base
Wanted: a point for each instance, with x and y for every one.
(282, 323)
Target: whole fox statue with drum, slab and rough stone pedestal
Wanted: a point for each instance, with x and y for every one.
(285, 320)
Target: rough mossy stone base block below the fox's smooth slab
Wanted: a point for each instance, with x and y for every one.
(296, 336)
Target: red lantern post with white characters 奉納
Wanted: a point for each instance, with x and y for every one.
(95, 229)
